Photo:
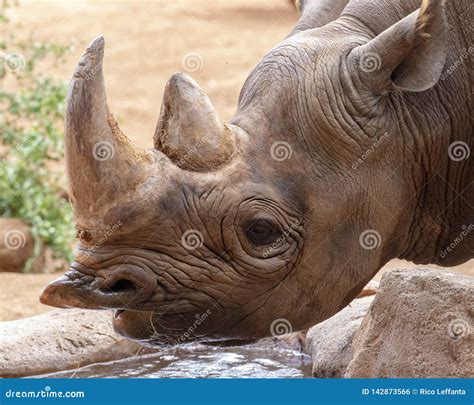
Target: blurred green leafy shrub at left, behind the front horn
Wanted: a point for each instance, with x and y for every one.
(31, 142)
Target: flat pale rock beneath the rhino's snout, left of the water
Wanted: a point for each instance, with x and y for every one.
(60, 340)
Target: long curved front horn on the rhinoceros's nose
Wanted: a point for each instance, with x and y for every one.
(102, 164)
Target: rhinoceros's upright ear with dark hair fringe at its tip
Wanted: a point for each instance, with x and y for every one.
(410, 55)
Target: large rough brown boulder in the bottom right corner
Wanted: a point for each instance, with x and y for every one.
(420, 325)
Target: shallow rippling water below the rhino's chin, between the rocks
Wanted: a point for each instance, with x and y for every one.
(201, 362)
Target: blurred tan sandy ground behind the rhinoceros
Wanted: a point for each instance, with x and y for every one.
(146, 43)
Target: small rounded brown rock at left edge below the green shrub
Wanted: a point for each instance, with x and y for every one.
(16, 244)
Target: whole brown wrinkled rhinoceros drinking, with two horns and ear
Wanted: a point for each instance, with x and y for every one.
(350, 146)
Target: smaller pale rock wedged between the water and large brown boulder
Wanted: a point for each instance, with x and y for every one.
(329, 343)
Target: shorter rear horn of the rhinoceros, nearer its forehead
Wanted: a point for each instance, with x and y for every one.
(189, 130)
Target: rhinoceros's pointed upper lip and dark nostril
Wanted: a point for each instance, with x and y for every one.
(112, 289)
